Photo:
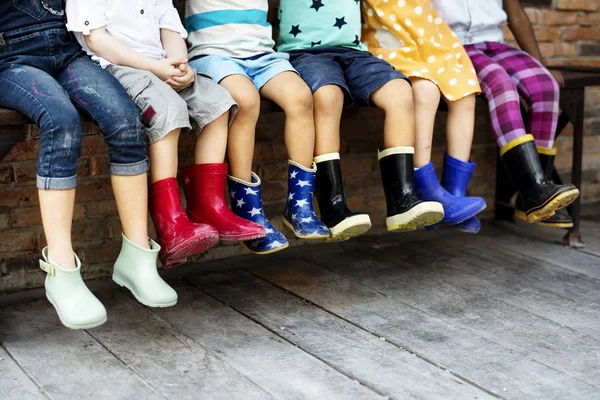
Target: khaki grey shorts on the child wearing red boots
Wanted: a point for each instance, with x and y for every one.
(163, 109)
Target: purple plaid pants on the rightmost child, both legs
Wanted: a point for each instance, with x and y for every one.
(505, 74)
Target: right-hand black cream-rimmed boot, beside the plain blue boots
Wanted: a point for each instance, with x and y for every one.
(405, 211)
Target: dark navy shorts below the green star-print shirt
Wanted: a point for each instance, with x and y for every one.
(357, 73)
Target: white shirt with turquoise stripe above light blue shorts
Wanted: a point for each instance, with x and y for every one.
(232, 28)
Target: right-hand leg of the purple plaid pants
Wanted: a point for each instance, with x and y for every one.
(536, 86)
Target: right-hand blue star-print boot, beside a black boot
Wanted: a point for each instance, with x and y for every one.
(299, 215)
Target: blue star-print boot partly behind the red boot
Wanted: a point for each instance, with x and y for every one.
(246, 202)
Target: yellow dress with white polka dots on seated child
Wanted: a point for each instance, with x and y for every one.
(411, 36)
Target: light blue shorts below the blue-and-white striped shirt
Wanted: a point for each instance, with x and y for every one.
(259, 70)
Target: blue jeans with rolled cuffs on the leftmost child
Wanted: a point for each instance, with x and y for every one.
(45, 75)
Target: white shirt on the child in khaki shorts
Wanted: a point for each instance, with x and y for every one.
(136, 23)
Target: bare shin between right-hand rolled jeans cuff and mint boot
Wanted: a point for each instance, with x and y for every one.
(131, 195)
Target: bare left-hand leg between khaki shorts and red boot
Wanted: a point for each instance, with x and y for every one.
(163, 157)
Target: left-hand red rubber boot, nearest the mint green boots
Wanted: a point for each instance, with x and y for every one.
(177, 236)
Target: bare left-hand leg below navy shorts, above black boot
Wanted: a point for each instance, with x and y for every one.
(328, 107)
